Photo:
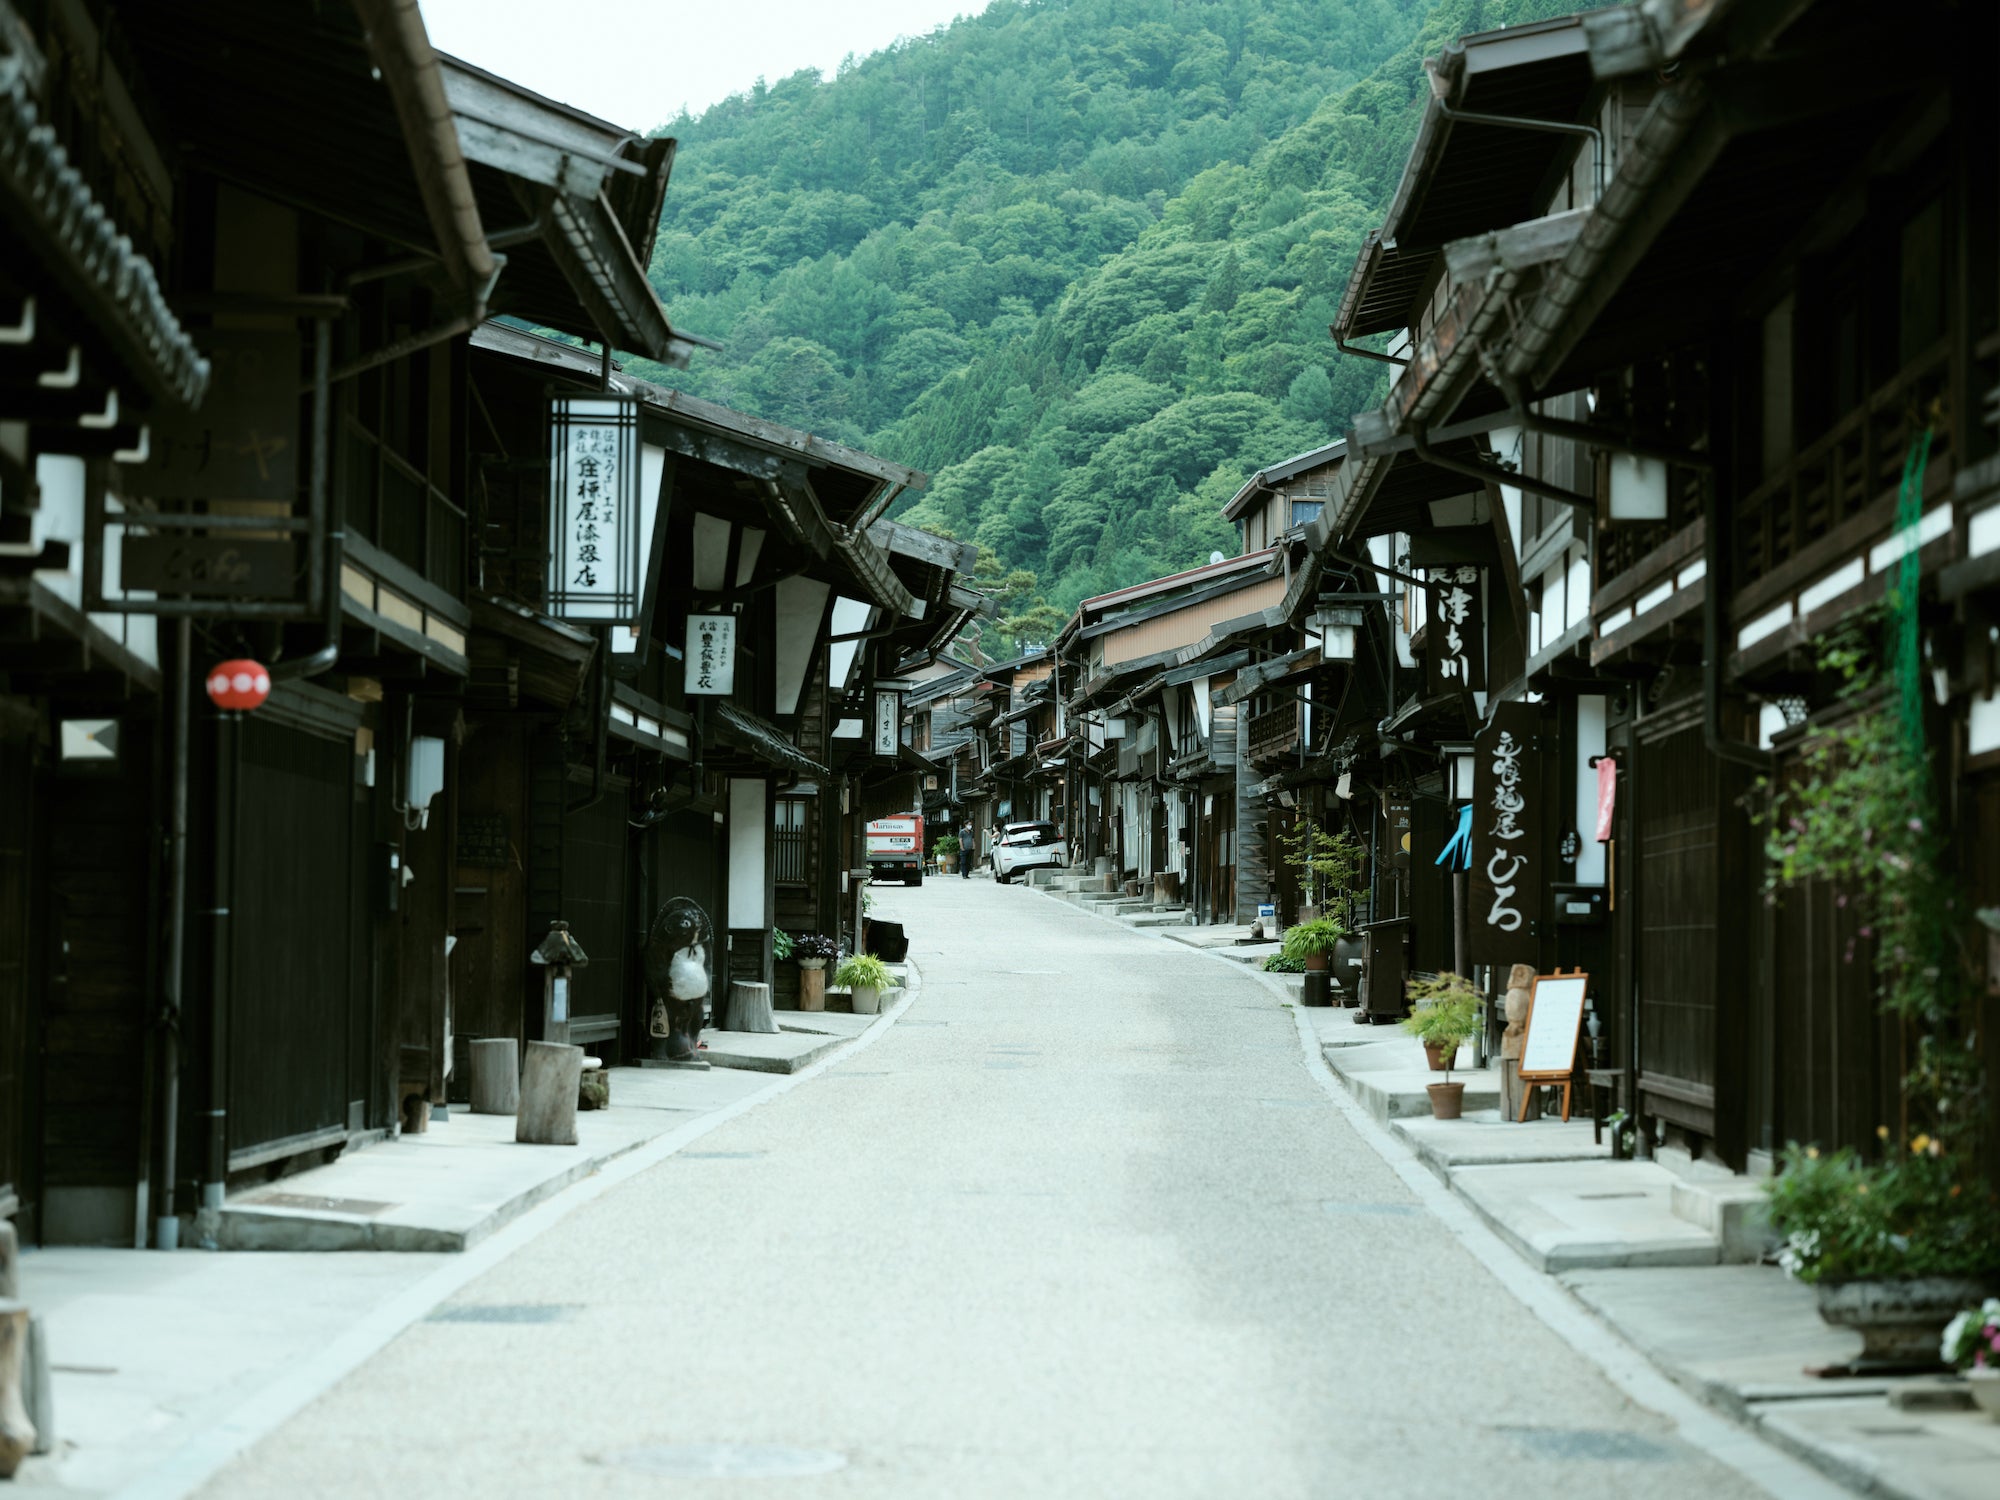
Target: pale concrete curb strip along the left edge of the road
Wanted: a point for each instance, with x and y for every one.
(199, 1459)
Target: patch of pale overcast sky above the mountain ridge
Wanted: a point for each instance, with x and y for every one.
(635, 63)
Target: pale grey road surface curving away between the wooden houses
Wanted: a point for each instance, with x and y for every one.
(1079, 1225)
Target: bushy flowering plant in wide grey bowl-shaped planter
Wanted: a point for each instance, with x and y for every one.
(1893, 1247)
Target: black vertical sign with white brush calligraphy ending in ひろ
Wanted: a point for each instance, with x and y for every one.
(1507, 855)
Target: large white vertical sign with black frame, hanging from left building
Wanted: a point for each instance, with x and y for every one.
(597, 531)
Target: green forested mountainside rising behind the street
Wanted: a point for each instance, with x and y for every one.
(1073, 257)
